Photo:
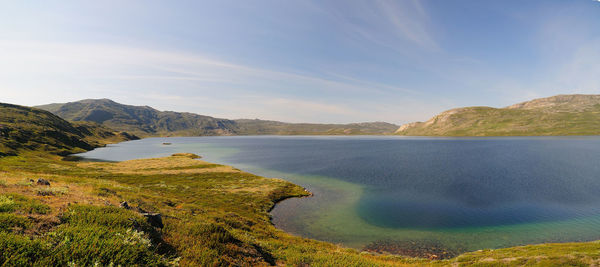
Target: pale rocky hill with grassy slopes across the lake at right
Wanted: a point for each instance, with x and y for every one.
(557, 115)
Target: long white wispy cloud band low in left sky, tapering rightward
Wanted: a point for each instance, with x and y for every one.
(118, 62)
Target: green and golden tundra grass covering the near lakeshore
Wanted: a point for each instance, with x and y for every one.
(213, 215)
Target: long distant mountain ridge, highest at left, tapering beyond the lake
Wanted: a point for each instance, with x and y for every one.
(147, 121)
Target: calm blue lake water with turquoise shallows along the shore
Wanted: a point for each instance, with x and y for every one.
(459, 193)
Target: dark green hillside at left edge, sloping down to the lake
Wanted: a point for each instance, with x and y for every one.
(32, 129)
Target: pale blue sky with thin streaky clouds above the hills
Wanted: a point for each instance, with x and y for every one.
(299, 61)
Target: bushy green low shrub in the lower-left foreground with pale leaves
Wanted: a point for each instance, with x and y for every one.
(93, 235)
